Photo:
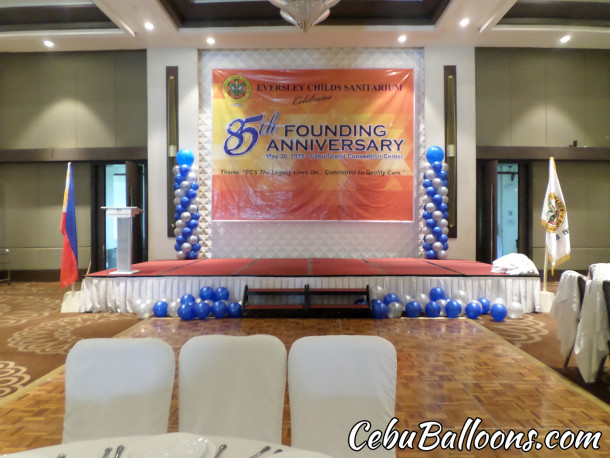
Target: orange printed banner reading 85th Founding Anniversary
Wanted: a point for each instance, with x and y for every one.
(313, 144)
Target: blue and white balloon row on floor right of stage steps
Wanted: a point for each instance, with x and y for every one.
(438, 304)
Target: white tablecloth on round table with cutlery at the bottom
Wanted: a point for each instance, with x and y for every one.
(178, 445)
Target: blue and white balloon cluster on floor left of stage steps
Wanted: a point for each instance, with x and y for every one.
(210, 303)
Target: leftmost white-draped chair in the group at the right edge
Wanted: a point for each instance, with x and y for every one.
(566, 310)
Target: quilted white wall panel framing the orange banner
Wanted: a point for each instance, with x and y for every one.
(304, 239)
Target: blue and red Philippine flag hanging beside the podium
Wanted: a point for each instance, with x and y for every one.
(69, 258)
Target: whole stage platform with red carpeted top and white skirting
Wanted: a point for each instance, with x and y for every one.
(170, 279)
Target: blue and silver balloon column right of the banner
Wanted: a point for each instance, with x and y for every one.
(436, 215)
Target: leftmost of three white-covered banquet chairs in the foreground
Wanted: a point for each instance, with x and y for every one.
(118, 387)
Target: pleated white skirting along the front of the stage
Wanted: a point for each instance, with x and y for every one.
(118, 294)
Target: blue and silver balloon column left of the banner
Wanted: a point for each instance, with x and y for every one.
(187, 212)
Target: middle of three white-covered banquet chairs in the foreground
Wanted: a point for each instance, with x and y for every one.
(232, 386)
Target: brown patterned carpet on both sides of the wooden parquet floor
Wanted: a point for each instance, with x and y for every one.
(35, 337)
